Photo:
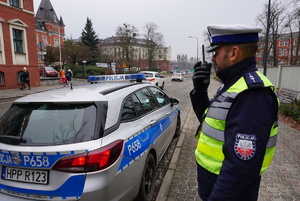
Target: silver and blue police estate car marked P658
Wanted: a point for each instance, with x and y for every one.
(92, 143)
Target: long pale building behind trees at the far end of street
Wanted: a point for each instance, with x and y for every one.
(111, 49)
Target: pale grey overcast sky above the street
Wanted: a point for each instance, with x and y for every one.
(176, 19)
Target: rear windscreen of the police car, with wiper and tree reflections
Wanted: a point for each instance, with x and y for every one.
(48, 124)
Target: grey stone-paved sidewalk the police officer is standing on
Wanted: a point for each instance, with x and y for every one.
(280, 182)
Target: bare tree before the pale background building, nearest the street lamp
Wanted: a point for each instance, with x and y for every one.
(154, 40)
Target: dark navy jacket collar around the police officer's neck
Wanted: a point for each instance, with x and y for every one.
(234, 72)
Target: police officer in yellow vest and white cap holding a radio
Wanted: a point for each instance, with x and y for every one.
(238, 130)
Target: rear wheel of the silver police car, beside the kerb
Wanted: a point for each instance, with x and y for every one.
(147, 185)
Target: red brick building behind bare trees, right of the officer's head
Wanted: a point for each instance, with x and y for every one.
(287, 50)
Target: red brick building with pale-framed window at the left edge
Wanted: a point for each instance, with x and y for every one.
(17, 35)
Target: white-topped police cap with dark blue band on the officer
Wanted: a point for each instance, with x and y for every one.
(232, 34)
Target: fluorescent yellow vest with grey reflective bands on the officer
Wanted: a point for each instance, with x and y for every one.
(211, 136)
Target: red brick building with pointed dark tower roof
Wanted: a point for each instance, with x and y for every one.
(50, 30)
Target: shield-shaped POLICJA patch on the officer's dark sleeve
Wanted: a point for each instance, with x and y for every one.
(245, 146)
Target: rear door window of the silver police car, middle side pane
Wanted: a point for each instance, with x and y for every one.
(146, 100)
